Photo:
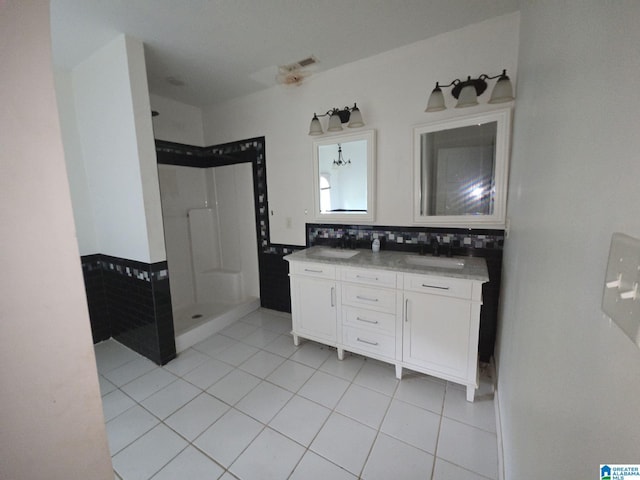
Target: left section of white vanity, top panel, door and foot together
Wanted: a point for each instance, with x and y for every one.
(314, 300)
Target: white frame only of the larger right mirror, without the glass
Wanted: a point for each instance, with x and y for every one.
(497, 219)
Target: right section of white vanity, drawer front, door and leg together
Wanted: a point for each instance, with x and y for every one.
(441, 325)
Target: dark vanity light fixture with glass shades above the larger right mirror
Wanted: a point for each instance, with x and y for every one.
(467, 92)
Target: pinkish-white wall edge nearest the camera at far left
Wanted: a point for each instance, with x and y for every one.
(51, 423)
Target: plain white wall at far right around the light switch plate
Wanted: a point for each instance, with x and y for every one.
(569, 382)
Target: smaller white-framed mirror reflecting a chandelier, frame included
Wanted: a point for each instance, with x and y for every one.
(344, 177)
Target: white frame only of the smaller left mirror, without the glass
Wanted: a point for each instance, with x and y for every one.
(342, 217)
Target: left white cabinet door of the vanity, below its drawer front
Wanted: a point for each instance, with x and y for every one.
(314, 308)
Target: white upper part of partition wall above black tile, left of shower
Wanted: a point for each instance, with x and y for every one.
(114, 126)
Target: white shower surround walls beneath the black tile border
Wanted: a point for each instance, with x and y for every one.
(220, 235)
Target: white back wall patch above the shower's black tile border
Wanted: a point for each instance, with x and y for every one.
(177, 122)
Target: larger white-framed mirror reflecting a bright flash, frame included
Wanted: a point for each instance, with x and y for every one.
(461, 170)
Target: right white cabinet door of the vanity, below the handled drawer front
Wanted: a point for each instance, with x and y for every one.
(437, 333)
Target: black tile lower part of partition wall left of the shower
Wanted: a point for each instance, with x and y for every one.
(130, 301)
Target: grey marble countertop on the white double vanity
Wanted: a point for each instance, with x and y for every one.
(475, 268)
